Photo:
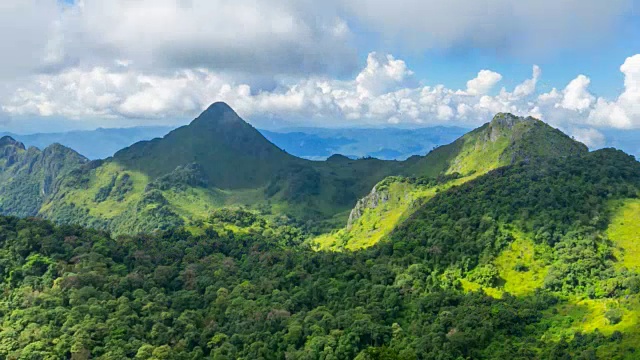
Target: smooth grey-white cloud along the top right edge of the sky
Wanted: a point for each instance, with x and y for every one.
(508, 26)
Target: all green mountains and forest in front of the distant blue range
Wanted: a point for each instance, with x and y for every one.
(512, 242)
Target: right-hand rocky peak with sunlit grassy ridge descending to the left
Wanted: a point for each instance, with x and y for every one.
(506, 140)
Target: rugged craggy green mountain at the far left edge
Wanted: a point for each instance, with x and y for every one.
(29, 176)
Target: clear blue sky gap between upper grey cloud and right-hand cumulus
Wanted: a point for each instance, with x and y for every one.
(601, 60)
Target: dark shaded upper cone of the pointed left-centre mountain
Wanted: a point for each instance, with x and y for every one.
(231, 152)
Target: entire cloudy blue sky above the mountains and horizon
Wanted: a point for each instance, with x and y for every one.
(335, 63)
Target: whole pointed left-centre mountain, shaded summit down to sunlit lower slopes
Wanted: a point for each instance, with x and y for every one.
(217, 161)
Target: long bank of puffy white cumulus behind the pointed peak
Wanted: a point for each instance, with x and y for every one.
(384, 91)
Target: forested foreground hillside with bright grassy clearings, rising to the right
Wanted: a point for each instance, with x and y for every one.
(530, 261)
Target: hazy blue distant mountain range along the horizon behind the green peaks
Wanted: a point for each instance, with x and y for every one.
(305, 142)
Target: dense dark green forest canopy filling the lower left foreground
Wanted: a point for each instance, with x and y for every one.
(78, 293)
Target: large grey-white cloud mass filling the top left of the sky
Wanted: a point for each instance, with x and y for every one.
(257, 37)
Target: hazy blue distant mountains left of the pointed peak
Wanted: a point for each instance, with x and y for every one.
(93, 144)
